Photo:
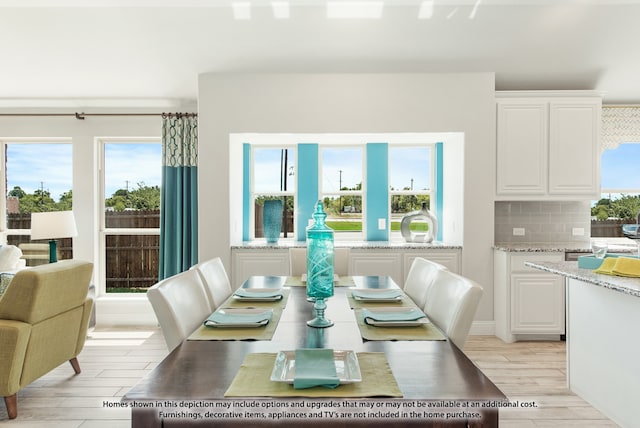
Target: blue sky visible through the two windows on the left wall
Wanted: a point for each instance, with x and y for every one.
(29, 165)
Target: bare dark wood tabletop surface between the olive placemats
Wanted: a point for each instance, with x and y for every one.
(424, 370)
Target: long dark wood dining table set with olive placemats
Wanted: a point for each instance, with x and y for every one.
(409, 375)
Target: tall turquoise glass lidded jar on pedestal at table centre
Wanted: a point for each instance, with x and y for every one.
(319, 266)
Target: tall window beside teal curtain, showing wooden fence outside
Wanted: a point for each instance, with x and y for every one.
(131, 181)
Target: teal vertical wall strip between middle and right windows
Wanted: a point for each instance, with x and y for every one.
(377, 190)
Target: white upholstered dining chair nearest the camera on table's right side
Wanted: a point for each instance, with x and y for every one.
(451, 304)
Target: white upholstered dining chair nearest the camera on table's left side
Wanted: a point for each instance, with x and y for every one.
(181, 305)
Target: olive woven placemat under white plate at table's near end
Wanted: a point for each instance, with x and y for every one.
(253, 380)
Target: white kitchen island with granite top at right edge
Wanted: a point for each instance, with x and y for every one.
(603, 339)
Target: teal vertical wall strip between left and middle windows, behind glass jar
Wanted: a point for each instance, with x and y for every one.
(307, 186)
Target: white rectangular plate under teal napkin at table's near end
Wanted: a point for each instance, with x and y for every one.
(347, 367)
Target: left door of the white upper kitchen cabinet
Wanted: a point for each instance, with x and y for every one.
(522, 148)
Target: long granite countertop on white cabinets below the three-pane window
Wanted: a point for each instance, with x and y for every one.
(285, 244)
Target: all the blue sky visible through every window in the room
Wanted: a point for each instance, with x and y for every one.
(29, 165)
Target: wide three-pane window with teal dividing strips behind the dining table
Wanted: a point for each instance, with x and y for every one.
(347, 179)
